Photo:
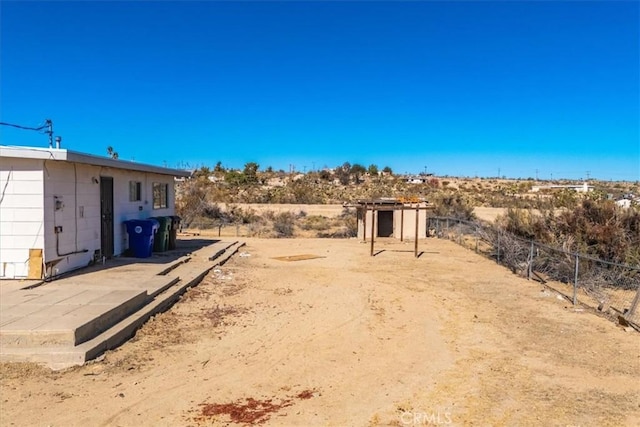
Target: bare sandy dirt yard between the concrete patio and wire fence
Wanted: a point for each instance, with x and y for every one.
(329, 336)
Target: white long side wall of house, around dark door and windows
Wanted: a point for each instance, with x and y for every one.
(77, 187)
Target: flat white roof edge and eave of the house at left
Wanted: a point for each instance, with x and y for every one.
(64, 155)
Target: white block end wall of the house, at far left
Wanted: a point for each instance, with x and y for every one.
(21, 209)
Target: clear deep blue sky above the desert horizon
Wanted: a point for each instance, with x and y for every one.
(521, 89)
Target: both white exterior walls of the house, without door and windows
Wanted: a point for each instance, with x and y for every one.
(39, 196)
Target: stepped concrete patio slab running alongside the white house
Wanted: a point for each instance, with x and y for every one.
(74, 318)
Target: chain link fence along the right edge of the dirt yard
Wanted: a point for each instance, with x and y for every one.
(612, 288)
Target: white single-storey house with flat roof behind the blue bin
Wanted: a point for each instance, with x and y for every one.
(61, 210)
